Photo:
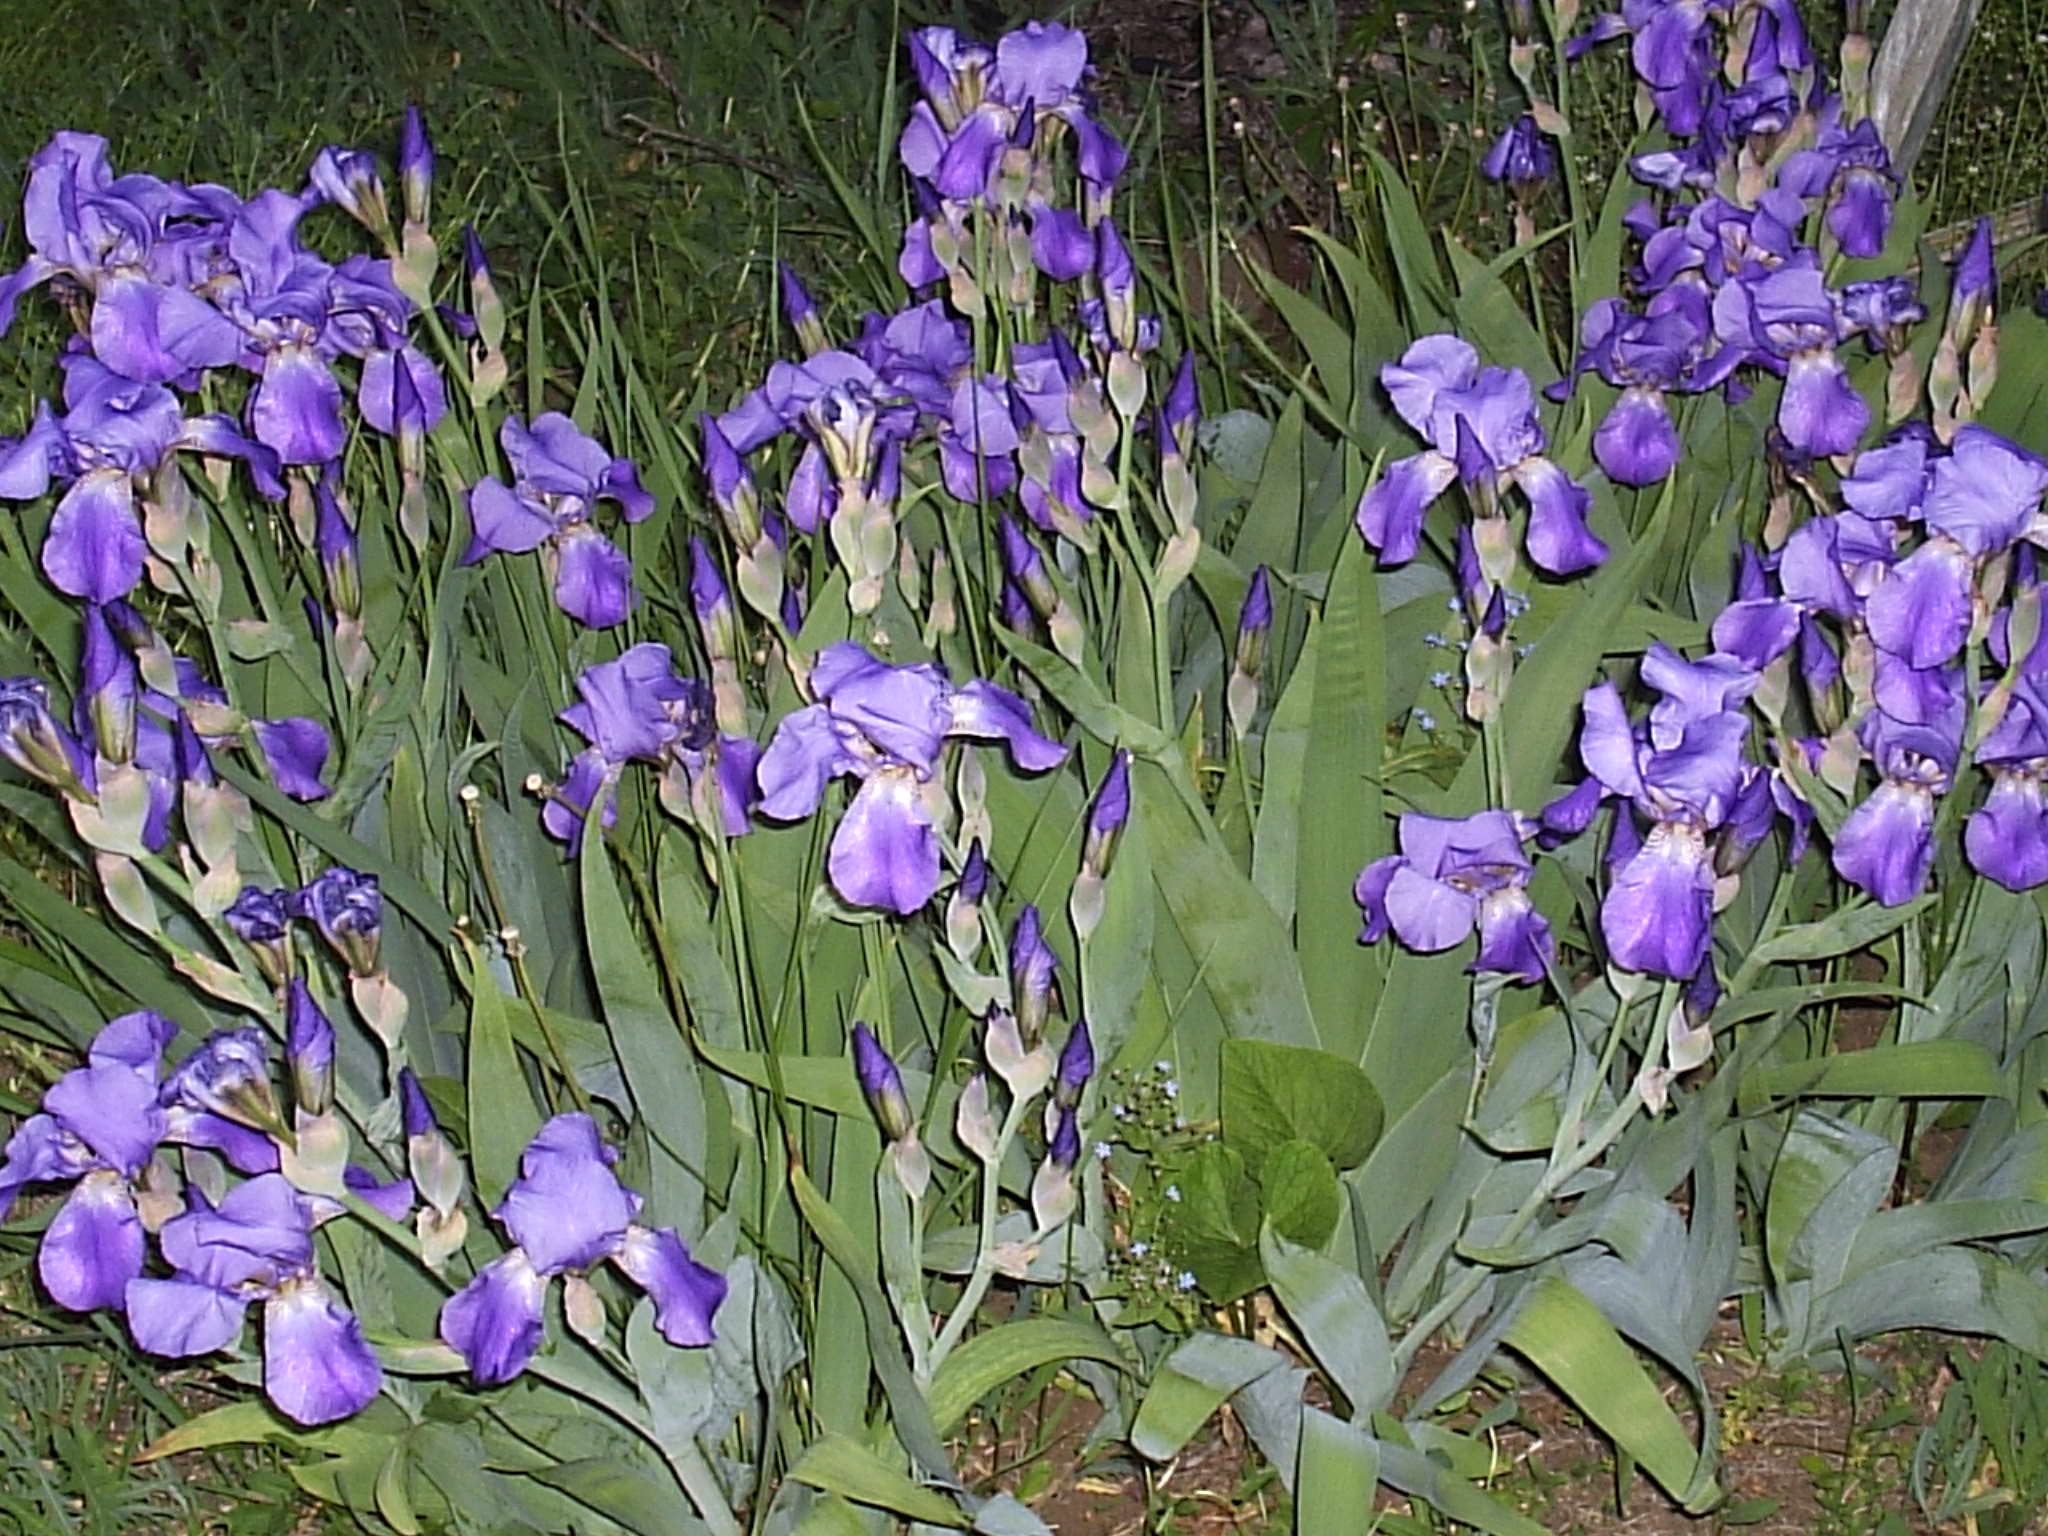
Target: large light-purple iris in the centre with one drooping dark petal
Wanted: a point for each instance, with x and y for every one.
(886, 726)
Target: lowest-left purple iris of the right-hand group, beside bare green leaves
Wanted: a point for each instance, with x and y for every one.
(1455, 876)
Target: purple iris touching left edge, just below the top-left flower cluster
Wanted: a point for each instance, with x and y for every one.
(114, 437)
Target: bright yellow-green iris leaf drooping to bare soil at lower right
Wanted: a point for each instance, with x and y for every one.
(1566, 1336)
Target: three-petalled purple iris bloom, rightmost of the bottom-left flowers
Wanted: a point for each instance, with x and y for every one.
(570, 1213)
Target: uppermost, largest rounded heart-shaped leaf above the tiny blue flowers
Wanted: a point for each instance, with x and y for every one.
(1281, 1093)
